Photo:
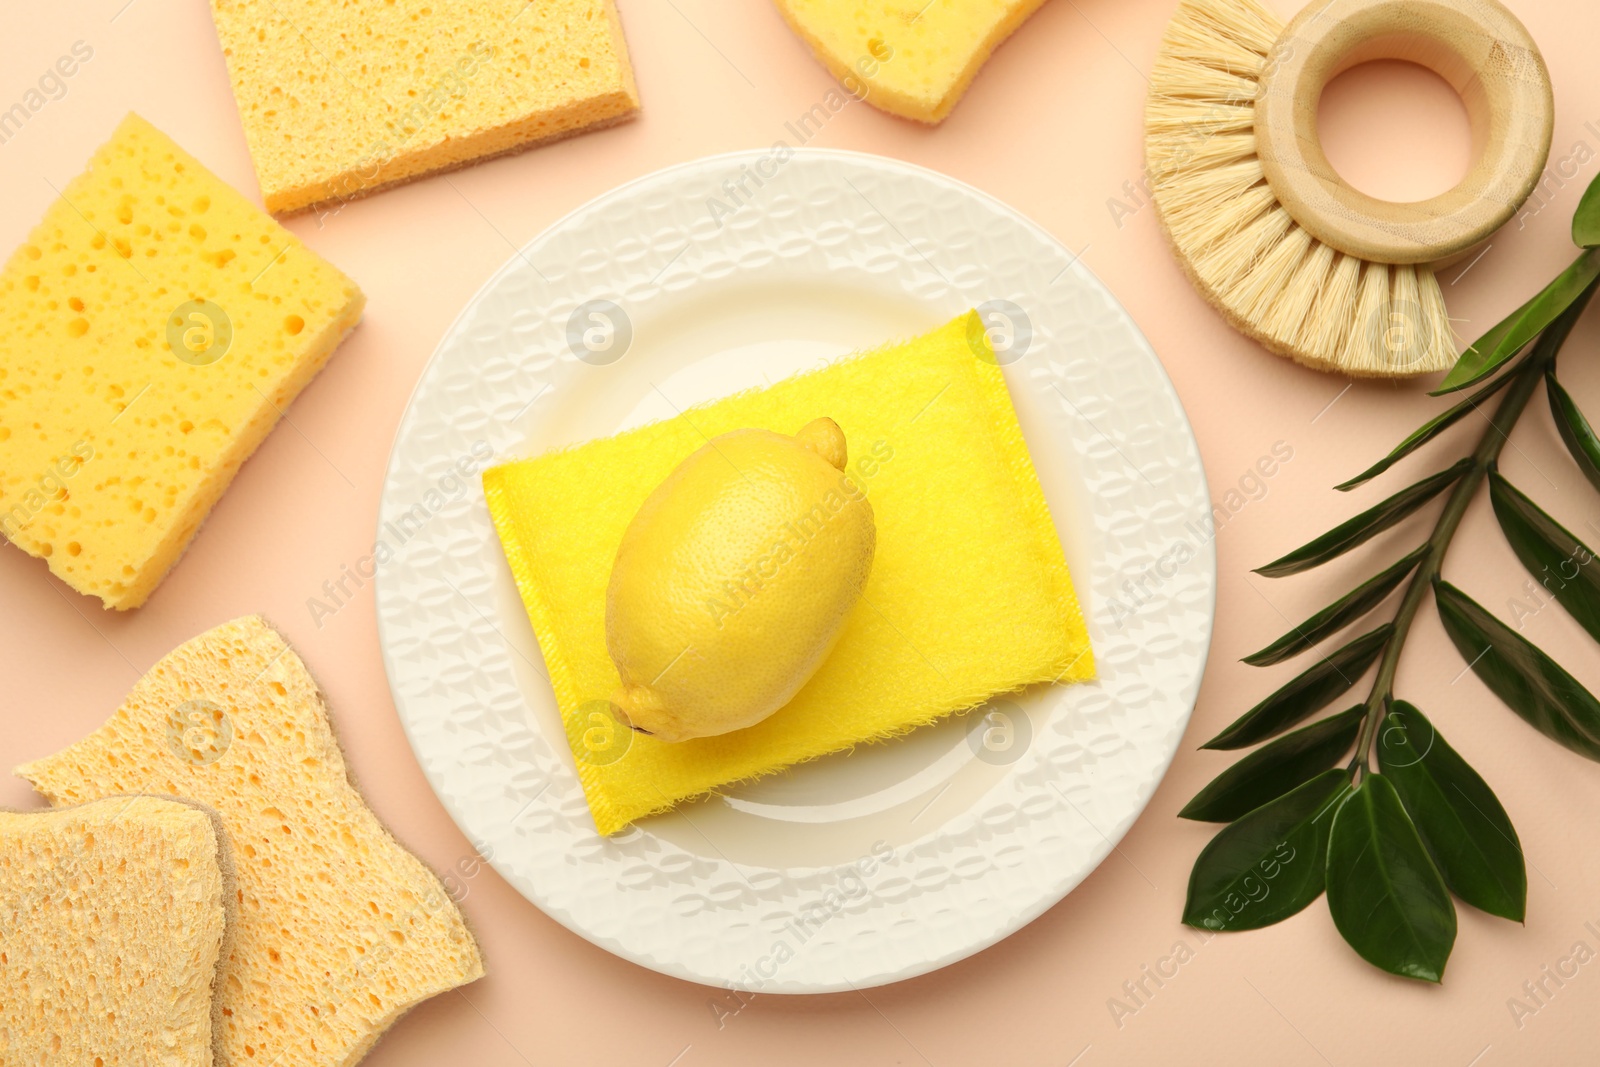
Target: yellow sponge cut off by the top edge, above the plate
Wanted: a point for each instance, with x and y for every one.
(911, 58)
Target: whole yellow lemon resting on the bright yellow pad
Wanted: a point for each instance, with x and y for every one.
(735, 580)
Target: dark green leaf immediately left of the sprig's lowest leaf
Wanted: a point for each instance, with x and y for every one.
(1268, 865)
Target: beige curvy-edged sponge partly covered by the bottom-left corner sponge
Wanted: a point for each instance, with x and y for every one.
(340, 929)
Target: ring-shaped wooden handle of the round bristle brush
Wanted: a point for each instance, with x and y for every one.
(1479, 49)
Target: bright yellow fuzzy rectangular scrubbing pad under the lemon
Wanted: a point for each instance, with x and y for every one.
(969, 594)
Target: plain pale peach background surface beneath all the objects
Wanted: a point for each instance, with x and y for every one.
(1054, 129)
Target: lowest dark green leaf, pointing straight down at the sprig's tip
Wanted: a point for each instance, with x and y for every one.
(1383, 890)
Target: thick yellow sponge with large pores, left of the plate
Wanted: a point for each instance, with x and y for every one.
(122, 415)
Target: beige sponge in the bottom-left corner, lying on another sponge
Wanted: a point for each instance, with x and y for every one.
(114, 921)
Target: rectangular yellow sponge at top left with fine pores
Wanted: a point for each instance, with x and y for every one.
(345, 98)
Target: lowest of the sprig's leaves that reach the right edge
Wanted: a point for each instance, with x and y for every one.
(1527, 681)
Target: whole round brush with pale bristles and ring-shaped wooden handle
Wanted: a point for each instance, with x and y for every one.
(1268, 231)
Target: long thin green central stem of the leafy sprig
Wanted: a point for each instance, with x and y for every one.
(1484, 457)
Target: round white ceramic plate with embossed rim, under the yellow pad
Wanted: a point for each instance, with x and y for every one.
(858, 869)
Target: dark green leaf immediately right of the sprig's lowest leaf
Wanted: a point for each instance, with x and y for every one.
(1466, 829)
